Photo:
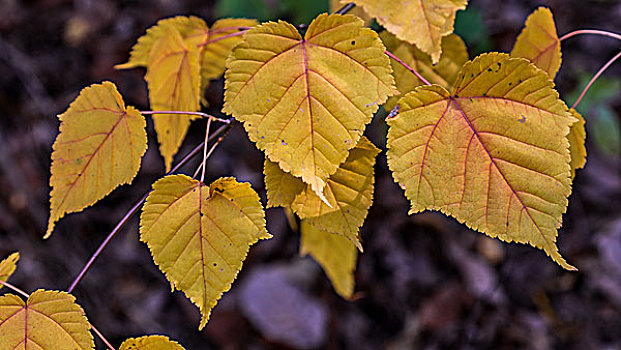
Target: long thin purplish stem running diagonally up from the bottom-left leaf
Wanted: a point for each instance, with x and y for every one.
(135, 208)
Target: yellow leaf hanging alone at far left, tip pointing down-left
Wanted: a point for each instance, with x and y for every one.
(99, 147)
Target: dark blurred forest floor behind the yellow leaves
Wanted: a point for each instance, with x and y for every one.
(423, 282)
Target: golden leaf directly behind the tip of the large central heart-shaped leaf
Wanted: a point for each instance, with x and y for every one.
(349, 193)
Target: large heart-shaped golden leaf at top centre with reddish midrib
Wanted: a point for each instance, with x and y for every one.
(305, 102)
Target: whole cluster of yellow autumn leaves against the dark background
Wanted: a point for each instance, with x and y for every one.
(487, 141)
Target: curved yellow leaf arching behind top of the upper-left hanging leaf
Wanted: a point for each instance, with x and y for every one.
(193, 30)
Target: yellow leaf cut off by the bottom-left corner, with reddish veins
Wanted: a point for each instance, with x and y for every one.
(49, 320)
